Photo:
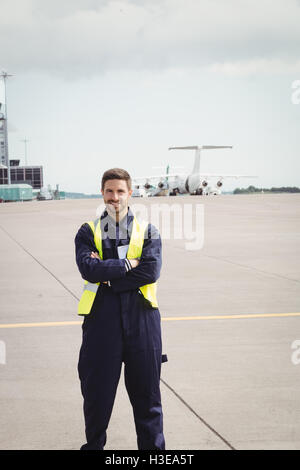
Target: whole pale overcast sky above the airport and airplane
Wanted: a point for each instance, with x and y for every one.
(103, 83)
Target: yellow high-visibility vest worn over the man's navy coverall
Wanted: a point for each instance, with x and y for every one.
(134, 251)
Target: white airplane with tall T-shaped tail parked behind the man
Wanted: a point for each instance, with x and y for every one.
(194, 183)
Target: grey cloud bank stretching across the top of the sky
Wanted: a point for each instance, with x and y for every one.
(91, 37)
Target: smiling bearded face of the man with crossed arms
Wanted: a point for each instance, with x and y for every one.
(116, 196)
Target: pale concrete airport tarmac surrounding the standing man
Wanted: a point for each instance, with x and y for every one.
(230, 313)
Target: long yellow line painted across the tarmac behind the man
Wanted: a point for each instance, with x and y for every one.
(202, 317)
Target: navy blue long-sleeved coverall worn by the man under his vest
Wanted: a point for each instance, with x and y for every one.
(122, 327)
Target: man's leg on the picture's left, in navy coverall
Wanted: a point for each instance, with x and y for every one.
(99, 369)
